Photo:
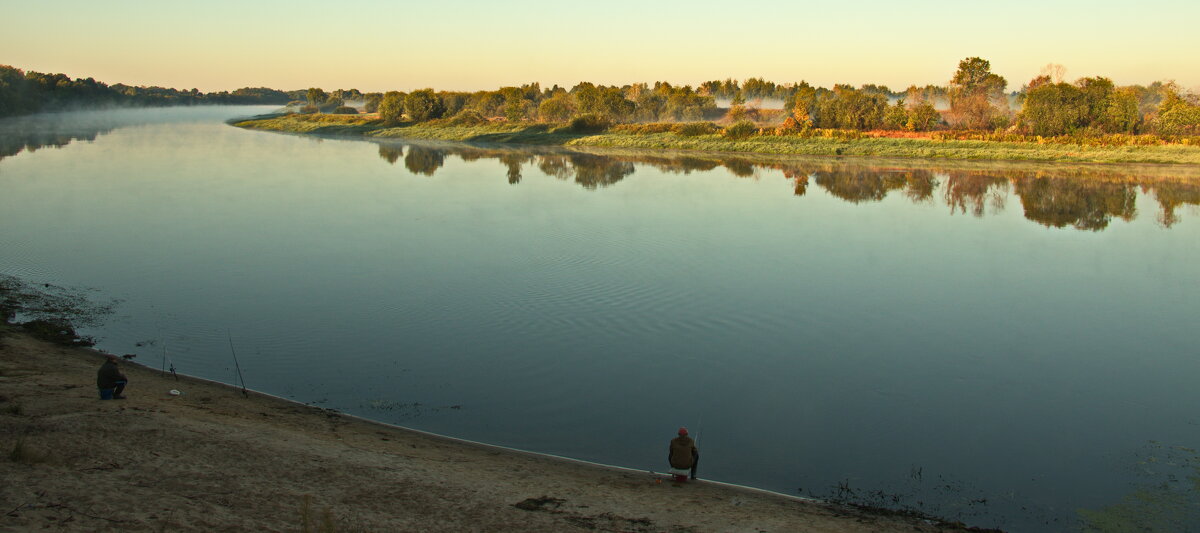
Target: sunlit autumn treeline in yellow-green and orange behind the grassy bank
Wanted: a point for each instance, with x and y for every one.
(974, 100)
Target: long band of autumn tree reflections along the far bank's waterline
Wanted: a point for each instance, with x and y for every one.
(1085, 199)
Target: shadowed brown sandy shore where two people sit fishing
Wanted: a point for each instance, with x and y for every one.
(214, 460)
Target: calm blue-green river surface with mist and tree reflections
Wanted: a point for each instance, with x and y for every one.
(1010, 346)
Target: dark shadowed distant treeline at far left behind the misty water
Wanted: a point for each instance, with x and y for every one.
(23, 93)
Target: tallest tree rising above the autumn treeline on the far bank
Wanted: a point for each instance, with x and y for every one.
(977, 97)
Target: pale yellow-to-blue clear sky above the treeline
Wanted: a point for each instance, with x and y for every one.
(471, 45)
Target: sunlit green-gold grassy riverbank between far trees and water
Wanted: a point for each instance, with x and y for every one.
(791, 145)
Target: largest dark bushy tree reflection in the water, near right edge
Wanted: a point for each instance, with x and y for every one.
(1084, 205)
